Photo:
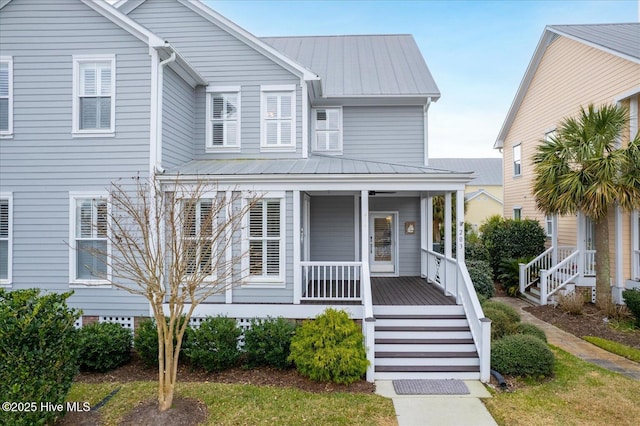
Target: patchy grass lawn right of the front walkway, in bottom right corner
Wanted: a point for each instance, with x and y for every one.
(580, 394)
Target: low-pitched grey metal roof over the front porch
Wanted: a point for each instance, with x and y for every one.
(314, 165)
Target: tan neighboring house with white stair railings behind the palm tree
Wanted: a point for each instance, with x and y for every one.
(572, 66)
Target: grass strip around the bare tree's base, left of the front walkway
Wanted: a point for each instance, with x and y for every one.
(247, 404)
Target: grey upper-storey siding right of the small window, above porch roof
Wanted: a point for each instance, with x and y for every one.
(386, 134)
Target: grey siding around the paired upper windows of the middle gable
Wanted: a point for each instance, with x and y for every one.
(224, 61)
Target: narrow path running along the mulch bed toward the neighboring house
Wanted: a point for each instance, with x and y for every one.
(575, 345)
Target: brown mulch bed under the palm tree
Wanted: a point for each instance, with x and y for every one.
(592, 322)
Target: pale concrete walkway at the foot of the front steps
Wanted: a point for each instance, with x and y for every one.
(440, 410)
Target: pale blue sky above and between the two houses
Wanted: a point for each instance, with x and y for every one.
(477, 51)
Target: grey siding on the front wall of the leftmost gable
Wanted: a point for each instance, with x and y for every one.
(42, 162)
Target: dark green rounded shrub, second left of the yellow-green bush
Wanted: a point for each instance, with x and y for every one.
(214, 345)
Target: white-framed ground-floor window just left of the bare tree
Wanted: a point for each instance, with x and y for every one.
(89, 236)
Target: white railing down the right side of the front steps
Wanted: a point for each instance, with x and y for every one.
(454, 278)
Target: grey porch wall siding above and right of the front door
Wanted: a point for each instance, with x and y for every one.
(409, 211)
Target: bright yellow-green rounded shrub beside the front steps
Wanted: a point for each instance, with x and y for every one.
(330, 348)
